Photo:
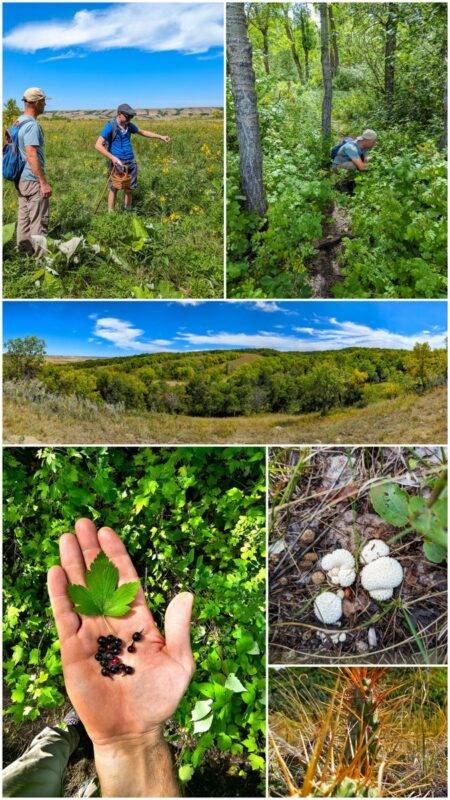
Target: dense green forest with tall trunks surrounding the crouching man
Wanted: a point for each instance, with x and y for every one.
(302, 77)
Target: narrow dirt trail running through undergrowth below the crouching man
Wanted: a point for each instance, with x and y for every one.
(323, 267)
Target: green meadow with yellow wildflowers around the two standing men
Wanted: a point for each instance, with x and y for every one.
(170, 246)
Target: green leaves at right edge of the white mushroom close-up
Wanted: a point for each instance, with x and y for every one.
(428, 518)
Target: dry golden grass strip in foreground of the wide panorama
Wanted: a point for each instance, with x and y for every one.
(411, 418)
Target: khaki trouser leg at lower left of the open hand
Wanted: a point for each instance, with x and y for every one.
(40, 770)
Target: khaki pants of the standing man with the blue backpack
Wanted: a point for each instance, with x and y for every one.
(33, 216)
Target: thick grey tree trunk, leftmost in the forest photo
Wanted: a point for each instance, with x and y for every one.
(244, 97)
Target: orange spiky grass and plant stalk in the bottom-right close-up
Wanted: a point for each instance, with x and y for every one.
(358, 732)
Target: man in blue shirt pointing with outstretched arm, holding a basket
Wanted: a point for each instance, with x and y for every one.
(114, 143)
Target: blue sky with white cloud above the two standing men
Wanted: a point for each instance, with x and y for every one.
(97, 55)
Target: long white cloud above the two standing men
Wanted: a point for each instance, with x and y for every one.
(154, 27)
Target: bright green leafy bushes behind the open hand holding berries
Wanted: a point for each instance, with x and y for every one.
(191, 519)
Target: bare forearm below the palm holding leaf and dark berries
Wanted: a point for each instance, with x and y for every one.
(139, 766)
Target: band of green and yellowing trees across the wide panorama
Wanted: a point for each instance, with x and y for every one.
(232, 383)
